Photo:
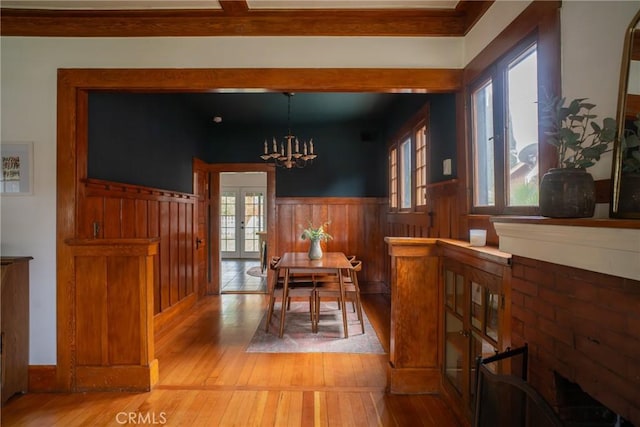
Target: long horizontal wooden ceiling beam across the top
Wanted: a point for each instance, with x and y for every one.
(234, 20)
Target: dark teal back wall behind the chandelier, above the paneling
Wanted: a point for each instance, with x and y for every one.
(349, 163)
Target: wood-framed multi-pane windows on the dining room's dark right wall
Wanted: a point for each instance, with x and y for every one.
(408, 132)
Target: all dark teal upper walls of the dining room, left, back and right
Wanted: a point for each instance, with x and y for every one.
(151, 139)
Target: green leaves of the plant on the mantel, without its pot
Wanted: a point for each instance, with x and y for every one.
(573, 130)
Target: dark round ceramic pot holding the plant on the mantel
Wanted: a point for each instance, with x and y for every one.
(567, 193)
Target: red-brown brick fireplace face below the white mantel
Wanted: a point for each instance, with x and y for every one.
(582, 327)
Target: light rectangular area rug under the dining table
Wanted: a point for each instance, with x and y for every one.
(298, 337)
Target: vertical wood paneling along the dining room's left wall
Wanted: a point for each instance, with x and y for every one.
(124, 211)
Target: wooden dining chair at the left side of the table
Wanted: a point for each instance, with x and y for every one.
(299, 286)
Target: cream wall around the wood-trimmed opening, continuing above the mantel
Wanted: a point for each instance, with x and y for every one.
(28, 102)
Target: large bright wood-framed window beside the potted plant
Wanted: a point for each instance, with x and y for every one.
(504, 134)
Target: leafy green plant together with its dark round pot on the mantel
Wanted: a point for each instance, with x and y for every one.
(568, 191)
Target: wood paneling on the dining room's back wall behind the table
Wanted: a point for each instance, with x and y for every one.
(355, 226)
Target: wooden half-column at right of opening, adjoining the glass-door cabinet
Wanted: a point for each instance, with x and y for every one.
(415, 308)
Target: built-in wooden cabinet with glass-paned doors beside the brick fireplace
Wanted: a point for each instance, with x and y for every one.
(475, 320)
